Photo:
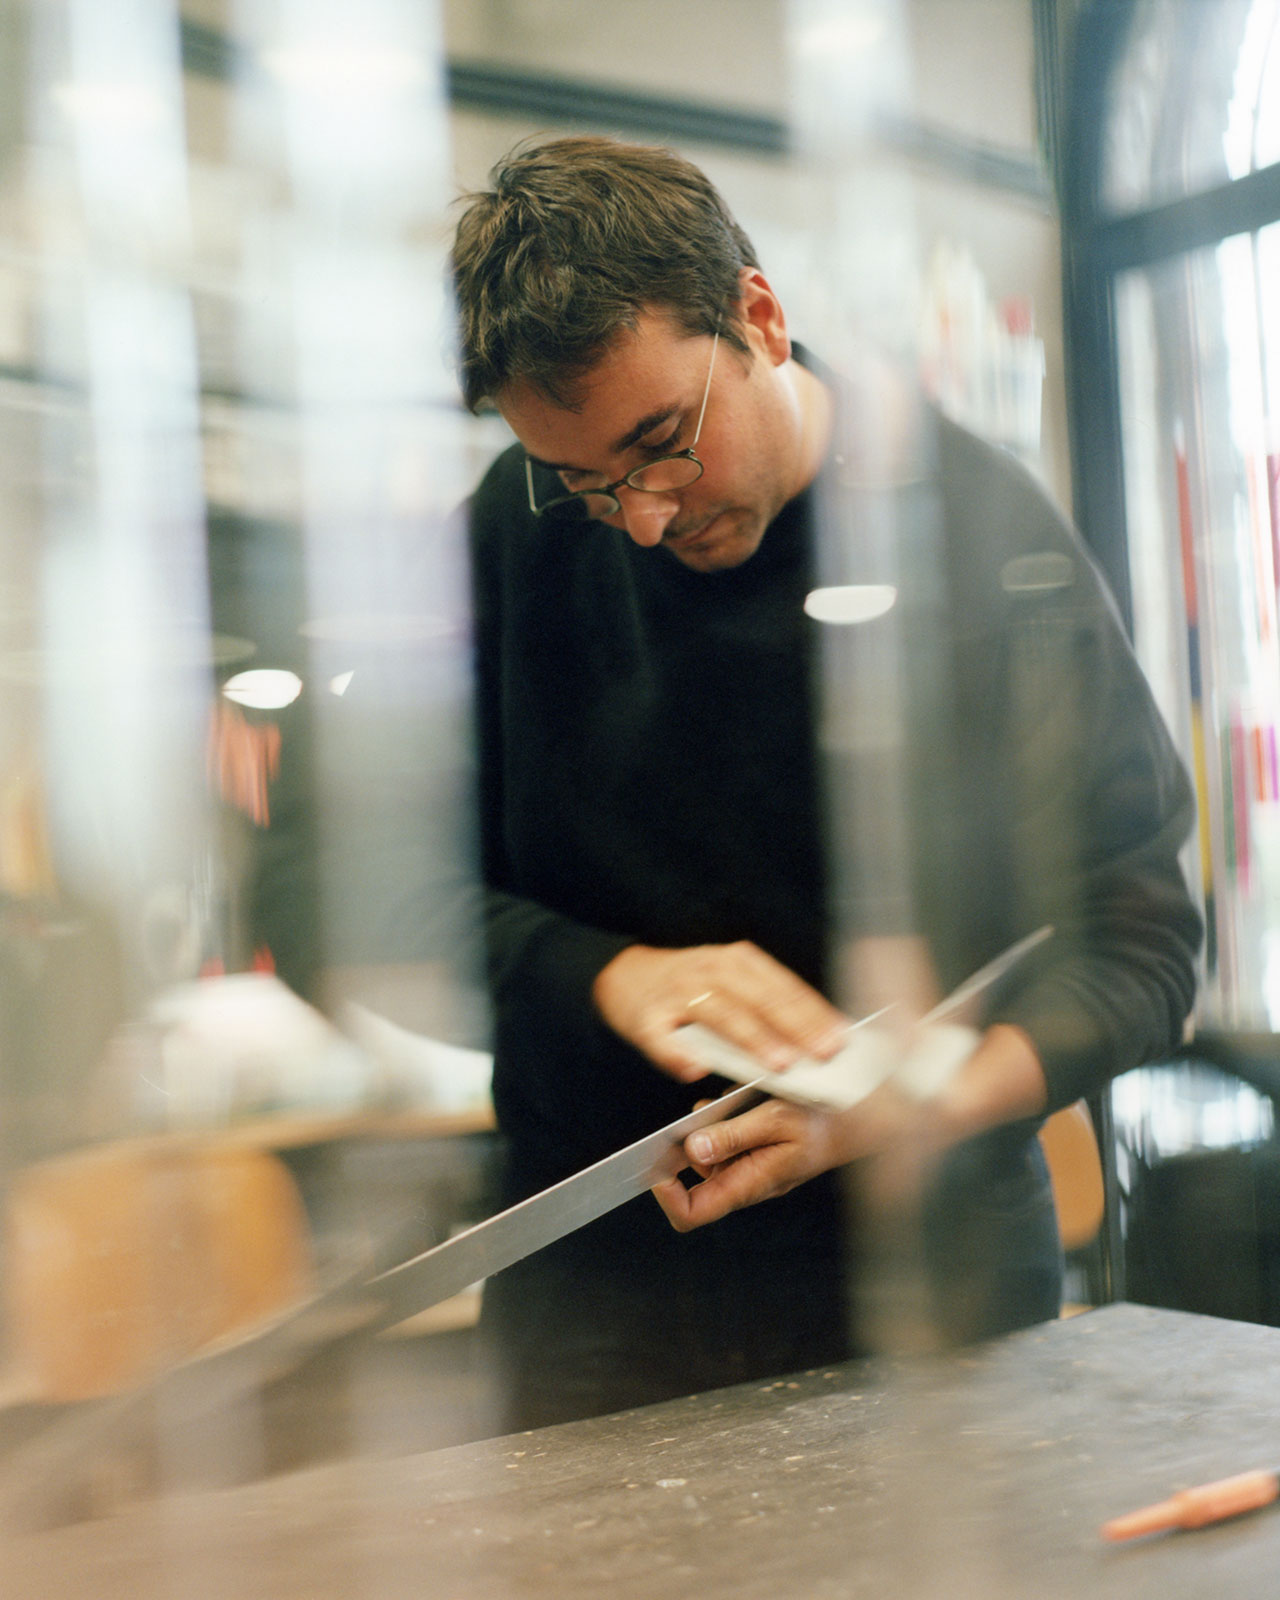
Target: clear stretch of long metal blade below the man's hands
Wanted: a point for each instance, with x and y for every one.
(538, 1222)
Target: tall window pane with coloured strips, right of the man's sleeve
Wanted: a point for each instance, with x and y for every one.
(1199, 356)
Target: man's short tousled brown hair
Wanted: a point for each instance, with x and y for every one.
(574, 241)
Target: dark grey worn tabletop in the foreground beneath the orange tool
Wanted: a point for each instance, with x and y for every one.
(977, 1474)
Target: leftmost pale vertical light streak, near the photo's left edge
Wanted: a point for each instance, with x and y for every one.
(124, 586)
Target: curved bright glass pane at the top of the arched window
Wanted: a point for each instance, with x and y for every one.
(1194, 100)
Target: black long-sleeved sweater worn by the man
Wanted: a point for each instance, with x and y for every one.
(655, 769)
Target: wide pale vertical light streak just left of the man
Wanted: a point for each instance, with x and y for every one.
(348, 108)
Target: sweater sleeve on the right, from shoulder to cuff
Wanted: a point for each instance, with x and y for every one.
(1102, 807)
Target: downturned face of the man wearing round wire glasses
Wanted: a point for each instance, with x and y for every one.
(642, 401)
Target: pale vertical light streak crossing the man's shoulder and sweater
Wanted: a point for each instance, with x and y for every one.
(850, 82)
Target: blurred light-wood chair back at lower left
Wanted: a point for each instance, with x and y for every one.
(130, 1257)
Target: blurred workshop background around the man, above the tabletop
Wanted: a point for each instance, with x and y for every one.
(242, 1033)
